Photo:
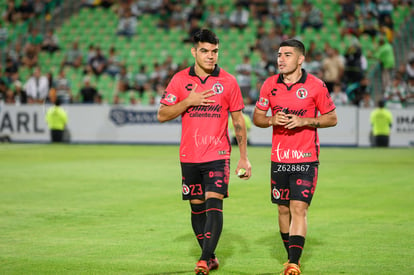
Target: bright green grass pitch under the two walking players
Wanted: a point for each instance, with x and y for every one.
(117, 209)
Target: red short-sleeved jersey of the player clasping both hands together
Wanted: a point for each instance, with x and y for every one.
(305, 98)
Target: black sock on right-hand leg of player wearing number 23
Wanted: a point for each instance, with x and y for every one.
(214, 226)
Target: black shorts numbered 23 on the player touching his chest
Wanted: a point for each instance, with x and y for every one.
(199, 178)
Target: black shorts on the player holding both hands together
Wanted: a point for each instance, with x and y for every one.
(293, 181)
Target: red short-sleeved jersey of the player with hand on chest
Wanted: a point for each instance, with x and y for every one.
(204, 133)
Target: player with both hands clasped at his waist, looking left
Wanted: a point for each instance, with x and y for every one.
(299, 103)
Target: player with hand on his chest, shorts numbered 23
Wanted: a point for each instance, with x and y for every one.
(204, 95)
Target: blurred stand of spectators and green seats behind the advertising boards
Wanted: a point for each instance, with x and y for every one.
(125, 52)
